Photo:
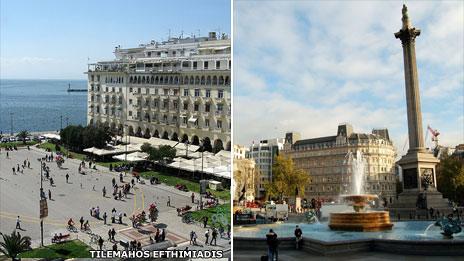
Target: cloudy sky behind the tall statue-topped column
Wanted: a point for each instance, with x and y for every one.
(308, 66)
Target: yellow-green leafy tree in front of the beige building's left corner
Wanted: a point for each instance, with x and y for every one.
(286, 179)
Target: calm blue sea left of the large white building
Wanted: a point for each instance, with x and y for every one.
(38, 104)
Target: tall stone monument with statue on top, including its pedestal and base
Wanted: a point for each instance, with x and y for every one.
(418, 165)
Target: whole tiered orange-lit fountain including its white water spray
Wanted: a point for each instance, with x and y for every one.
(361, 219)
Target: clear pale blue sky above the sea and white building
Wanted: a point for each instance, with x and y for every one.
(55, 39)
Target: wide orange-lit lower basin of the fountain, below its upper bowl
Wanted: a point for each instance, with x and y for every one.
(361, 221)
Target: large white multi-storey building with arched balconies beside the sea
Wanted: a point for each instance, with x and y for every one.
(177, 89)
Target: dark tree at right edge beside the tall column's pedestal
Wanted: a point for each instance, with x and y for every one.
(450, 178)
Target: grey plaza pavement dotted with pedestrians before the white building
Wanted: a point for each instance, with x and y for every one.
(19, 195)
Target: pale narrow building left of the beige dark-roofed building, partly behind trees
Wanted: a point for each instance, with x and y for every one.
(263, 154)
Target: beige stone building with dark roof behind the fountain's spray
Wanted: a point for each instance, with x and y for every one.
(325, 159)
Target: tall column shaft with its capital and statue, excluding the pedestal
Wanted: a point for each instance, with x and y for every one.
(407, 35)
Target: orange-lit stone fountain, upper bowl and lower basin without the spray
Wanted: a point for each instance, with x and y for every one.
(360, 219)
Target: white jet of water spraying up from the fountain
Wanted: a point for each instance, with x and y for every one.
(358, 165)
